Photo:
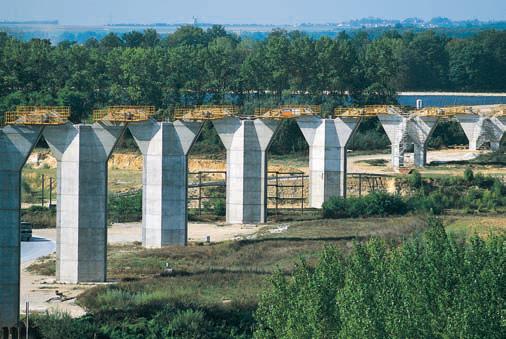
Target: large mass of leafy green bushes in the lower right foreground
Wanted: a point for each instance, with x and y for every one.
(429, 287)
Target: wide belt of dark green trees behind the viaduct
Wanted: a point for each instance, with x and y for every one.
(194, 66)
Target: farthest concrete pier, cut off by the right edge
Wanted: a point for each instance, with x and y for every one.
(481, 129)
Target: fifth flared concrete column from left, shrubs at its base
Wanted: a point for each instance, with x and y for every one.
(327, 140)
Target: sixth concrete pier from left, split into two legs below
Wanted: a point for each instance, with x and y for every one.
(403, 131)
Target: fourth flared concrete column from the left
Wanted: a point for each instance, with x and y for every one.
(246, 142)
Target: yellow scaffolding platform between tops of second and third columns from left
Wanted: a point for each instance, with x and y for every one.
(124, 113)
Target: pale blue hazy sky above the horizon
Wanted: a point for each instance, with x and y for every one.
(250, 11)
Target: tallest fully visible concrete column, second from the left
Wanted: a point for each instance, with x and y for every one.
(82, 152)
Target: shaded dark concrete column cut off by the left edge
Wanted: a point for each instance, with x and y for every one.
(16, 143)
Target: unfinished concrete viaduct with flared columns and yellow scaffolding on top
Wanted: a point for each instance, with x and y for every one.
(82, 152)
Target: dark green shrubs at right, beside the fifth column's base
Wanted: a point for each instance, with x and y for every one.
(470, 193)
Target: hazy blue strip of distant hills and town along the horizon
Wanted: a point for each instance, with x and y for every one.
(56, 32)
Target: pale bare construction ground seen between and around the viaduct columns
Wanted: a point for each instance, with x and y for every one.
(125, 174)
